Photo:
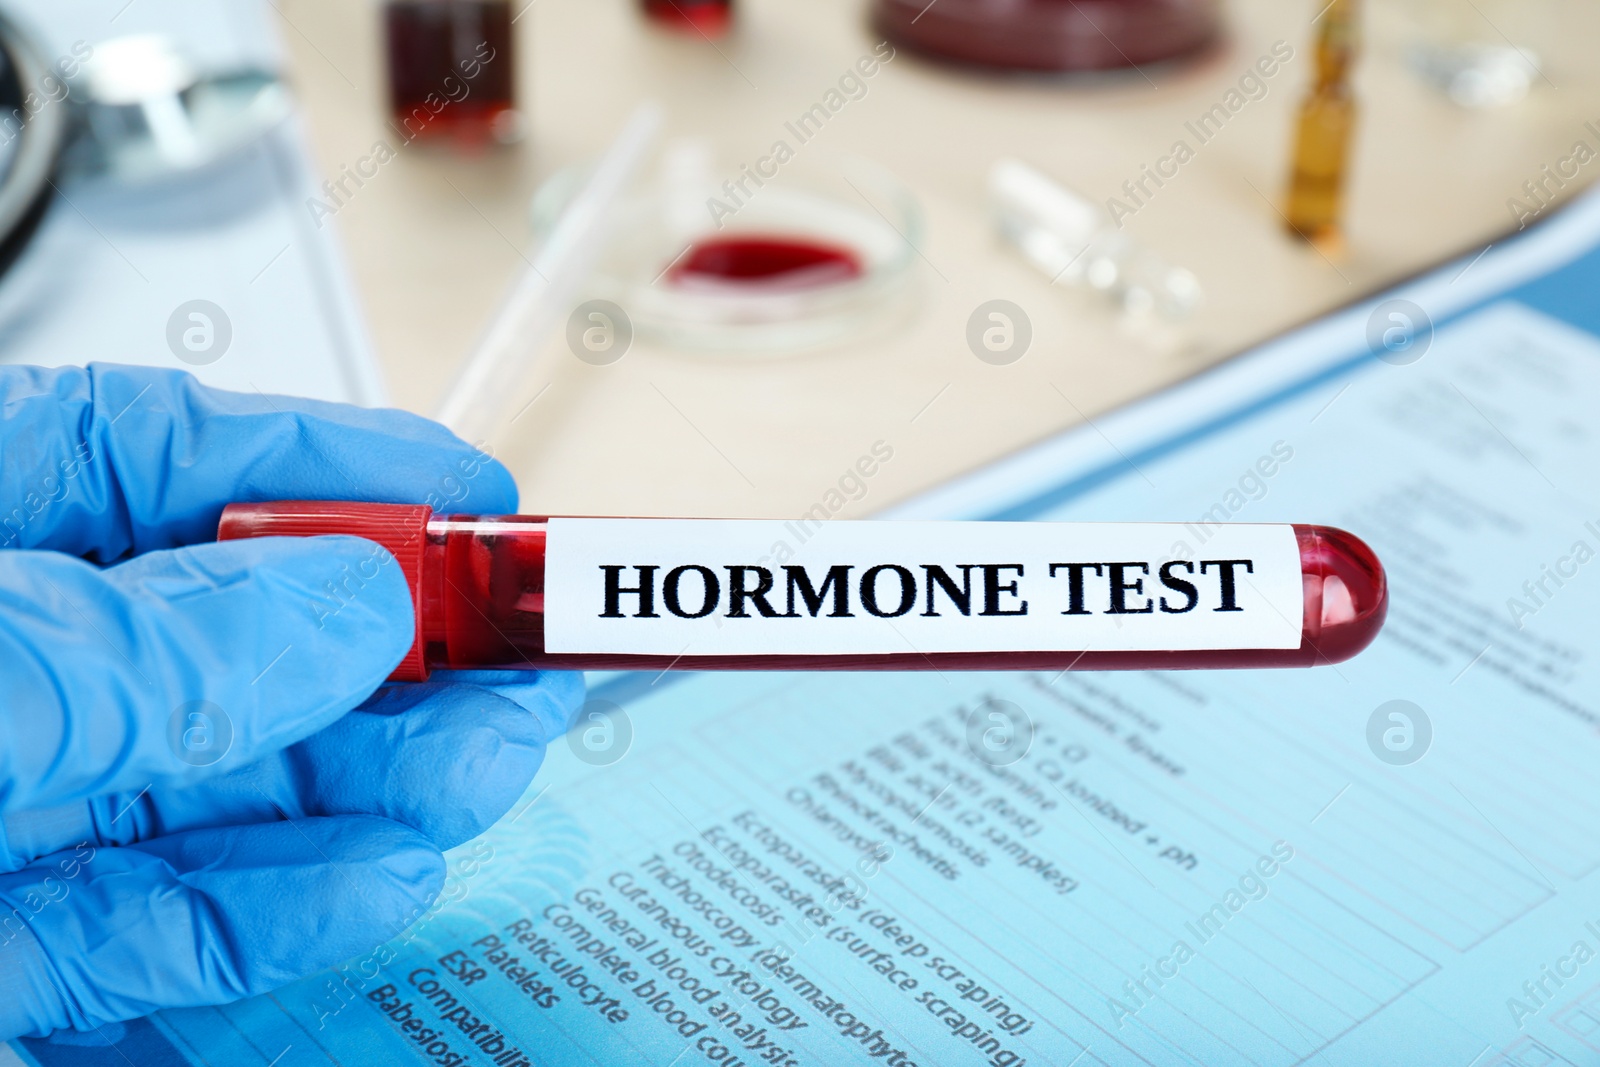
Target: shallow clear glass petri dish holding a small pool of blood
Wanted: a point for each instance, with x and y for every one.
(761, 258)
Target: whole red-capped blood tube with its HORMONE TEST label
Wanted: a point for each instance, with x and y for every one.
(658, 594)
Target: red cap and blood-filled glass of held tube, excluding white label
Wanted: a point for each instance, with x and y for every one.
(478, 583)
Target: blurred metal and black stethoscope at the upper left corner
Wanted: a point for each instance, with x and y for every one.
(132, 110)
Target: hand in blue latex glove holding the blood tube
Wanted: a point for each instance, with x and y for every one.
(130, 879)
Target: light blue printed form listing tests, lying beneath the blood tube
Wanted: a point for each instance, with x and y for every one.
(1247, 868)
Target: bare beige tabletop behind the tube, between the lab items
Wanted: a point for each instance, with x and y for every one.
(436, 239)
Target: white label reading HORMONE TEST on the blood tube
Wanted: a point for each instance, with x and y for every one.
(772, 588)
